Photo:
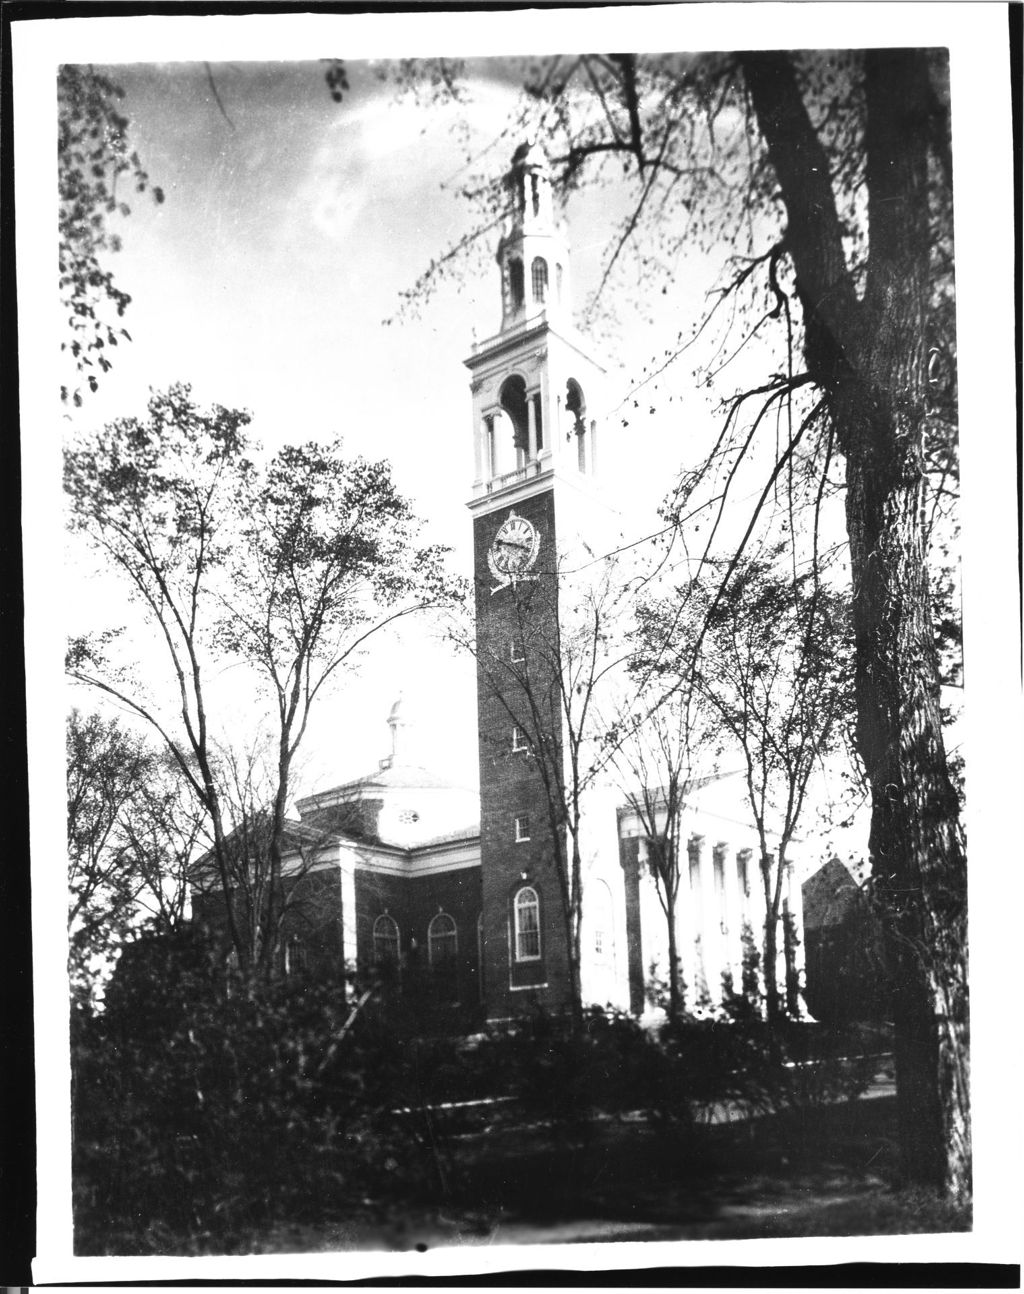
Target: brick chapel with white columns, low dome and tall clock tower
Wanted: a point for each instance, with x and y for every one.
(456, 901)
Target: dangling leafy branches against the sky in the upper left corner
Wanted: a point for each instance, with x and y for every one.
(94, 162)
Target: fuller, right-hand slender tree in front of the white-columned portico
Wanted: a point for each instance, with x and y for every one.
(766, 661)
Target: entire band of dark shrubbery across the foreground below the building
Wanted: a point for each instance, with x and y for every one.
(208, 1111)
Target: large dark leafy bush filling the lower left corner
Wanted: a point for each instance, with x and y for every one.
(203, 1115)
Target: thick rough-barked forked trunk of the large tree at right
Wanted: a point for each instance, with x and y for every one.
(871, 360)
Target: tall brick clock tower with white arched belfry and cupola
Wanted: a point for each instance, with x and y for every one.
(538, 394)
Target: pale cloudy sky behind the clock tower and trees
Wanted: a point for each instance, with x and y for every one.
(273, 279)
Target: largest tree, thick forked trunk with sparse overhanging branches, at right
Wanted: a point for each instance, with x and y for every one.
(824, 181)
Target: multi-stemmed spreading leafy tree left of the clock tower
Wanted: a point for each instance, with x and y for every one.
(289, 570)
